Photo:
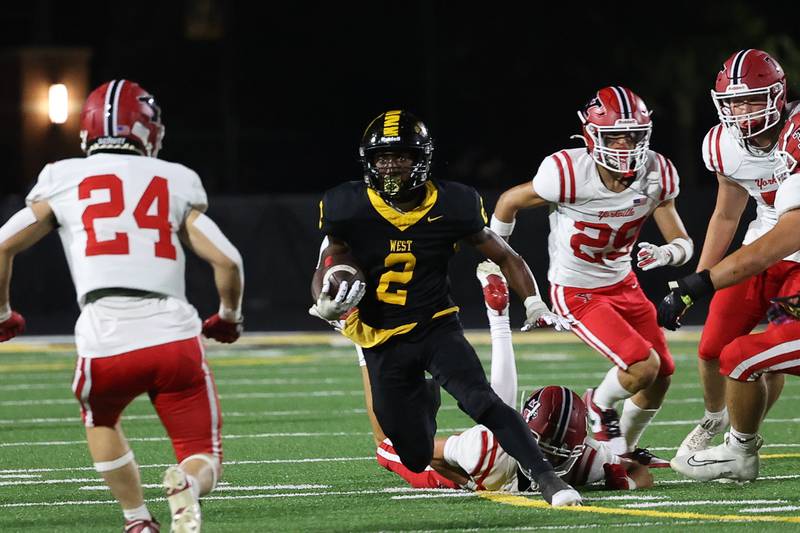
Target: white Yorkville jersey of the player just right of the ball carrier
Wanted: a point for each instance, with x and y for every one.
(593, 229)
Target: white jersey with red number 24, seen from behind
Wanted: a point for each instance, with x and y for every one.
(118, 218)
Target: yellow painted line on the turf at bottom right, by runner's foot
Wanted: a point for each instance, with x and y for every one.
(521, 501)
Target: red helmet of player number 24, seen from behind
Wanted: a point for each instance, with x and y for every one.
(121, 115)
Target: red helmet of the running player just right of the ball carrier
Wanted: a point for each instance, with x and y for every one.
(615, 111)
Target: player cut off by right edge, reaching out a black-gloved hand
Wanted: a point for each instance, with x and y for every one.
(747, 360)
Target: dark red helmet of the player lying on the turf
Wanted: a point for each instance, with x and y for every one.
(557, 418)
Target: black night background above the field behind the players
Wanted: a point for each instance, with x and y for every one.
(267, 103)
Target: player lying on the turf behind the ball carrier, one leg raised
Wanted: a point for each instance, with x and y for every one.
(474, 460)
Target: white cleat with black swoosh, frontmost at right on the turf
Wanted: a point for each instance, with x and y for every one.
(720, 462)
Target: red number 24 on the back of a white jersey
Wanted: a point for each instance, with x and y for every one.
(156, 192)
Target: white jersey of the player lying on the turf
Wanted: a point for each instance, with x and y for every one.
(479, 454)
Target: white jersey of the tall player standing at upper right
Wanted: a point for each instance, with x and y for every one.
(723, 155)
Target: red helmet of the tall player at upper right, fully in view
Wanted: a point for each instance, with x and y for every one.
(749, 73)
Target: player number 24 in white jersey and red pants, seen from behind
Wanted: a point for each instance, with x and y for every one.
(120, 212)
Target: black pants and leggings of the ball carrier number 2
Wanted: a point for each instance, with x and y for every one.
(405, 406)
